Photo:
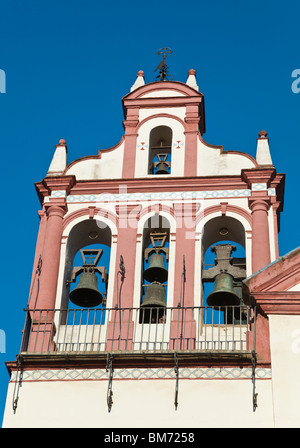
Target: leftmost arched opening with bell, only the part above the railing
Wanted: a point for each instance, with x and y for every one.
(87, 265)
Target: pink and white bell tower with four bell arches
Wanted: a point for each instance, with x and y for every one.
(142, 286)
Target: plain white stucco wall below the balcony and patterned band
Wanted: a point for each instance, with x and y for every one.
(141, 403)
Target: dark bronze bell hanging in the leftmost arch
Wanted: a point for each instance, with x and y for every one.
(86, 294)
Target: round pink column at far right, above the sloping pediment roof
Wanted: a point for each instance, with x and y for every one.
(260, 234)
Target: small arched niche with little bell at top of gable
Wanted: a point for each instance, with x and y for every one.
(160, 150)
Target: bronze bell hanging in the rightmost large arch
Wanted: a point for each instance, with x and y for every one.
(223, 293)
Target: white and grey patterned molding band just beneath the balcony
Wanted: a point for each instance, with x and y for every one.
(142, 374)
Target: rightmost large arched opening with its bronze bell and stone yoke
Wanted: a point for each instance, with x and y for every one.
(223, 269)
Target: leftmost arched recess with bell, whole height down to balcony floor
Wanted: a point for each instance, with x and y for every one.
(80, 322)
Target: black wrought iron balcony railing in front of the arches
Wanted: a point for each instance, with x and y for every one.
(137, 330)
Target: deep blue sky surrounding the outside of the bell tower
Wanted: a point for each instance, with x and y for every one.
(67, 66)
